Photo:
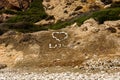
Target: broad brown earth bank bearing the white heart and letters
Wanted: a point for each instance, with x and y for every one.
(70, 46)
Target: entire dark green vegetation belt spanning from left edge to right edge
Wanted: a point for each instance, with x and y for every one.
(24, 20)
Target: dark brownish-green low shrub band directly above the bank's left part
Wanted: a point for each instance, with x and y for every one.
(24, 27)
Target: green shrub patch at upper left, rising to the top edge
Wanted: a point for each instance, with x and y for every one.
(33, 14)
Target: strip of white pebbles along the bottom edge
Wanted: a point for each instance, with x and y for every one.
(8, 75)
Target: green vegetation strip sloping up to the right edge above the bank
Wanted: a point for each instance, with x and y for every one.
(100, 16)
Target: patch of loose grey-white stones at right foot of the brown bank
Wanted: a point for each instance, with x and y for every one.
(102, 64)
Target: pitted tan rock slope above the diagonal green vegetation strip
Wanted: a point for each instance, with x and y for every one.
(66, 9)
